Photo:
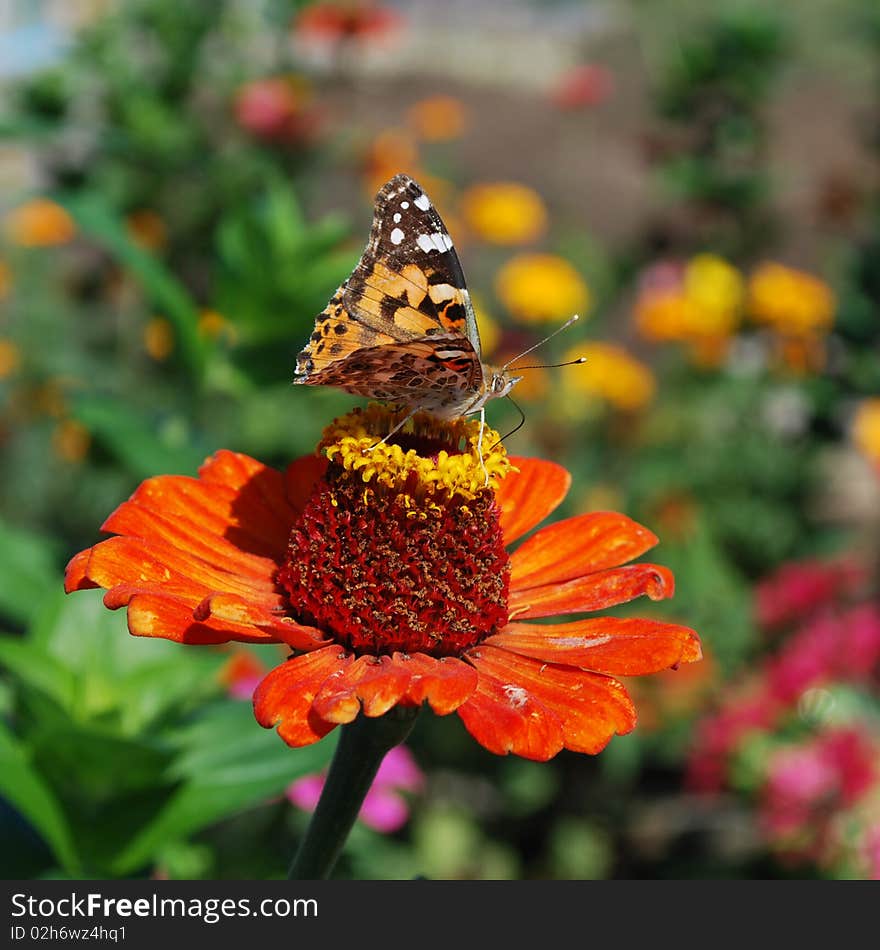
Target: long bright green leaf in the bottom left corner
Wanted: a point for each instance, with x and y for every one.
(23, 787)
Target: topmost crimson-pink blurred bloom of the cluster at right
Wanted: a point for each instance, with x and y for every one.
(798, 589)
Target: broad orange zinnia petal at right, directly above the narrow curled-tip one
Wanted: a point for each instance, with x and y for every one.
(578, 546)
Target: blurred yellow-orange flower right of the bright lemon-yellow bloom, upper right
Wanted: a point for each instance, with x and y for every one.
(791, 302)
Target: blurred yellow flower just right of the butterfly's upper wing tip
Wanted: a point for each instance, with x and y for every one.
(504, 212)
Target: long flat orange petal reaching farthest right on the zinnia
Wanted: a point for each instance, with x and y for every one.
(621, 647)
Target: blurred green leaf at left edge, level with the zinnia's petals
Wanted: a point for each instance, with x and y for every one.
(27, 571)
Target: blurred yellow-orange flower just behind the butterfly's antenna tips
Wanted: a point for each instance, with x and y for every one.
(610, 374)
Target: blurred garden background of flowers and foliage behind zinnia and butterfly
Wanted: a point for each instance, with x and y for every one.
(182, 187)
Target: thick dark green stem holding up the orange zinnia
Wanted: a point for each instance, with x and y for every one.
(362, 745)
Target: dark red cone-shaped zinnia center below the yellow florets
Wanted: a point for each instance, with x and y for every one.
(386, 568)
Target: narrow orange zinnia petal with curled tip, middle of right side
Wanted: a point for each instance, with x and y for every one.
(593, 592)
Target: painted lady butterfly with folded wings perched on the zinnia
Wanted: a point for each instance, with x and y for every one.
(402, 329)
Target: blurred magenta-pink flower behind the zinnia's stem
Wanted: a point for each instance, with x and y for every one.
(384, 808)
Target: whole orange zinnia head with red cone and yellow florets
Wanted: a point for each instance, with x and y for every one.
(385, 567)
